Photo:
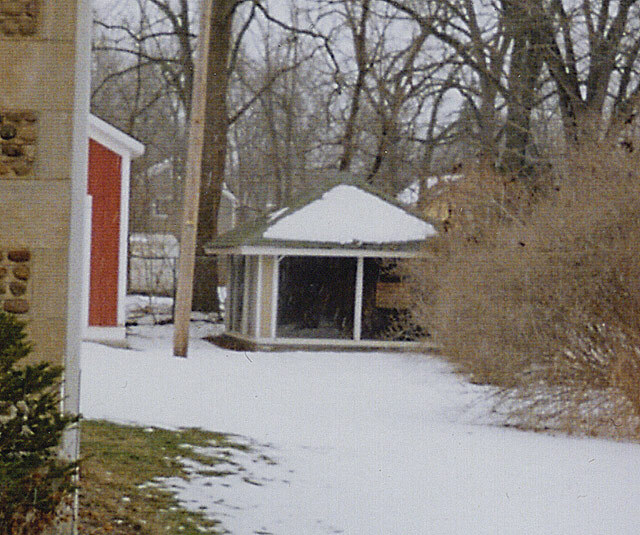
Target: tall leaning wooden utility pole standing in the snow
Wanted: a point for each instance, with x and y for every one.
(184, 289)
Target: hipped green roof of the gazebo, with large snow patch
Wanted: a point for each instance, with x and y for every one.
(345, 216)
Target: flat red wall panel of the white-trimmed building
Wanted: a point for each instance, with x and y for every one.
(104, 186)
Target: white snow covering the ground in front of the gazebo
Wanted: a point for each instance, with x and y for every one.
(363, 443)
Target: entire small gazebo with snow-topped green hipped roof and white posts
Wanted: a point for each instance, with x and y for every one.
(321, 273)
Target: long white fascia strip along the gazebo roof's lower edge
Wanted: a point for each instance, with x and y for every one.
(305, 251)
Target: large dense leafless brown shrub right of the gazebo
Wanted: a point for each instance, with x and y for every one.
(538, 290)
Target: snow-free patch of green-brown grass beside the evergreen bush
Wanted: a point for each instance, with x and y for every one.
(119, 465)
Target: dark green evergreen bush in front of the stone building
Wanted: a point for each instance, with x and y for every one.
(34, 481)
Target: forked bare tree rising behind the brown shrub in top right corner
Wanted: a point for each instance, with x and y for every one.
(603, 85)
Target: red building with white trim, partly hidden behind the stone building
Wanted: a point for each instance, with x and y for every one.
(110, 155)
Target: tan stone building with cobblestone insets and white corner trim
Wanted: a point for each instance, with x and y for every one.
(44, 104)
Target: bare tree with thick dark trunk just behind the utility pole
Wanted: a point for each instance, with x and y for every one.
(162, 43)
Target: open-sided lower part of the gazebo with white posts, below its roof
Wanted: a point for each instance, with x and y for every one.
(315, 299)
